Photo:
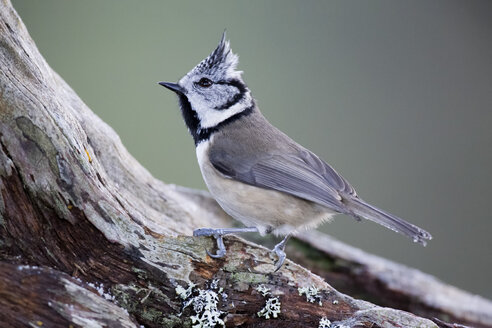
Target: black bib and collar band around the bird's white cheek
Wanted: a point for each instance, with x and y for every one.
(193, 123)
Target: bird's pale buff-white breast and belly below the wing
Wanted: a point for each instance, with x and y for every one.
(263, 208)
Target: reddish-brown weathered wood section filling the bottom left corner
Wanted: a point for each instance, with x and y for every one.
(34, 296)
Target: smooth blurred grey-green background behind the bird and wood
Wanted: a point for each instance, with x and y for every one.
(396, 95)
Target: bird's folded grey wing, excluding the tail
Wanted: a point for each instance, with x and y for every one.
(302, 174)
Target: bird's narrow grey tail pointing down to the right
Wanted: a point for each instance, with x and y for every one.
(360, 208)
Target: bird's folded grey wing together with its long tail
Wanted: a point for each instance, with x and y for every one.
(305, 175)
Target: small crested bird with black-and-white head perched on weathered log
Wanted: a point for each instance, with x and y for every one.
(256, 173)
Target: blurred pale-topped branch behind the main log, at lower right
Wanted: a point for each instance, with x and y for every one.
(389, 284)
